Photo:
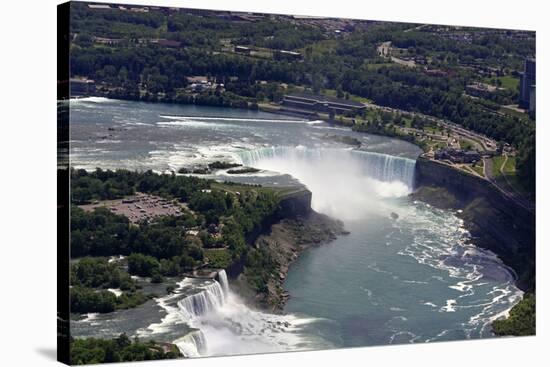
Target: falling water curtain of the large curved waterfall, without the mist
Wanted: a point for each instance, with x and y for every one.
(378, 166)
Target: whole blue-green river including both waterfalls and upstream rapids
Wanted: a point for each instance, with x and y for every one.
(406, 273)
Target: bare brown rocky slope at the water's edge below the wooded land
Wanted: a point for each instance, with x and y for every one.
(286, 241)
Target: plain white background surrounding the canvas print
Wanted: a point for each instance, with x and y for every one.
(28, 181)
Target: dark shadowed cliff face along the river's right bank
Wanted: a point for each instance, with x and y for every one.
(495, 221)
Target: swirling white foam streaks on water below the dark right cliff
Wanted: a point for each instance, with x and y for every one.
(464, 263)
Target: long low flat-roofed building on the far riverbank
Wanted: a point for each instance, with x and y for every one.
(319, 103)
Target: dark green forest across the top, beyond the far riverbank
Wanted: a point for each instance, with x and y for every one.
(135, 68)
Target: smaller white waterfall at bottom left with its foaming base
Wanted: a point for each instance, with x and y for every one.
(222, 324)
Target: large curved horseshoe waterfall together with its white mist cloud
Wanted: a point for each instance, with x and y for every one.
(346, 184)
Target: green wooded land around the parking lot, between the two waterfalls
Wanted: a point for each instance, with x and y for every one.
(161, 247)
